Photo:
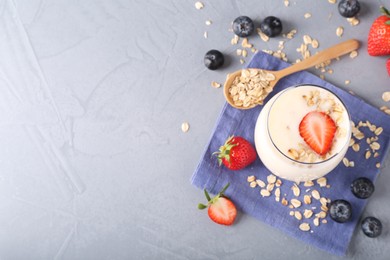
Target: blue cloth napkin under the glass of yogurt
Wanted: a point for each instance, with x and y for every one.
(331, 236)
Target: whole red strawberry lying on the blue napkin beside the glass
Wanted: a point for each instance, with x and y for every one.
(236, 154)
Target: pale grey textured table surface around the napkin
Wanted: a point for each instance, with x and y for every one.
(94, 164)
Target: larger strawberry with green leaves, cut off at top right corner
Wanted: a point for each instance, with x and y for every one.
(379, 35)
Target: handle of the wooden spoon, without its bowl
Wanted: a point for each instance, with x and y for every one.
(327, 54)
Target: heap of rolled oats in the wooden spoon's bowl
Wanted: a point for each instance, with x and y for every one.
(251, 87)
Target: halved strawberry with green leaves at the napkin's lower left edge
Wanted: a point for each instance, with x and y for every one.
(221, 210)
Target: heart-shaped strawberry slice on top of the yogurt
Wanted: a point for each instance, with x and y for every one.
(318, 130)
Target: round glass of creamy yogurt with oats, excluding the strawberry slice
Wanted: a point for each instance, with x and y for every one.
(278, 135)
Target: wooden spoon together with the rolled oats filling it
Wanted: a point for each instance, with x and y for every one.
(247, 88)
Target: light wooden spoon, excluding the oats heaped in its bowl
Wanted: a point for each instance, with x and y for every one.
(325, 55)
